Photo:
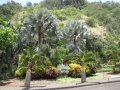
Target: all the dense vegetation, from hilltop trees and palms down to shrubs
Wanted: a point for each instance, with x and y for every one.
(53, 38)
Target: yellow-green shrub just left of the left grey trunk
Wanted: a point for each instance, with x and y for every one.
(21, 72)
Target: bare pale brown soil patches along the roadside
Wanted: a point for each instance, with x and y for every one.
(20, 82)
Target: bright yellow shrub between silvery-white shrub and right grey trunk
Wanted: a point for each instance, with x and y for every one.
(75, 70)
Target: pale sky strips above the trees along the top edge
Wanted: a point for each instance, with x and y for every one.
(23, 2)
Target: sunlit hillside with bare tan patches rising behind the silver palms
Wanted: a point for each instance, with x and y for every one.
(101, 18)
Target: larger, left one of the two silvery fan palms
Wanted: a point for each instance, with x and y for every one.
(40, 27)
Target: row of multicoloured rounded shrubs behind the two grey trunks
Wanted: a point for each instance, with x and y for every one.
(72, 70)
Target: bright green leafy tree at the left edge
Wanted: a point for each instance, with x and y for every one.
(7, 38)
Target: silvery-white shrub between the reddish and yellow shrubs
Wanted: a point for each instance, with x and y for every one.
(63, 69)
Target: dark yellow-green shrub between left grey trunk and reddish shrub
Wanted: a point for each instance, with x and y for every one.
(38, 71)
